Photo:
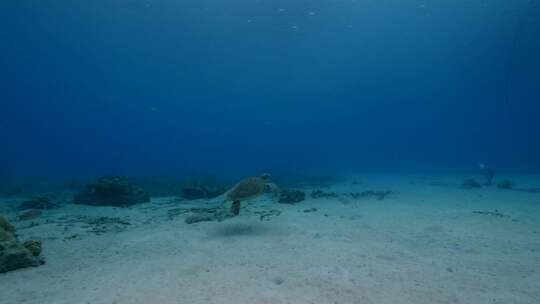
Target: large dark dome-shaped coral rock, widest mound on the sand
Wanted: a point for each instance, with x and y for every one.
(111, 191)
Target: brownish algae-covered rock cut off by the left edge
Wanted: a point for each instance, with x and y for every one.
(14, 255)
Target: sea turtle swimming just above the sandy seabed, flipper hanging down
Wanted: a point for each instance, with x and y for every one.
(246, 189)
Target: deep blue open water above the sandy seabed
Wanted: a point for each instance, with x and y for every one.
(241, 87)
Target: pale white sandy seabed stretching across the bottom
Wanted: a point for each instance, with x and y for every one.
(422, 244)
